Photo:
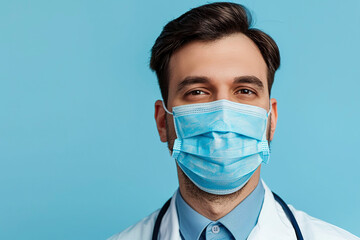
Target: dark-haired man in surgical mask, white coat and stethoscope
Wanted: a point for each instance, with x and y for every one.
(215, 74)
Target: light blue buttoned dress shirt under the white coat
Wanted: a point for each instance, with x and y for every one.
(237, 224)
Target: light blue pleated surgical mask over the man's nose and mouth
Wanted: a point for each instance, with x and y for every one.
(220, 144)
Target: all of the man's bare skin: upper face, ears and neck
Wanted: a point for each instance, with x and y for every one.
(229, 68)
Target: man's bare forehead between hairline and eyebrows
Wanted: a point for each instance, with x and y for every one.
(231, 56)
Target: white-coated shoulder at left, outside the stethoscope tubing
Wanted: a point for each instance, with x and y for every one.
(141, 230)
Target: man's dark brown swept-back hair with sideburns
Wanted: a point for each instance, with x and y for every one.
(208, 23)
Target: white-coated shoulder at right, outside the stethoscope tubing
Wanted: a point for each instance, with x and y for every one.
(313, 228)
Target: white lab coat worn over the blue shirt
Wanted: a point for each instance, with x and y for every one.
(272, 224)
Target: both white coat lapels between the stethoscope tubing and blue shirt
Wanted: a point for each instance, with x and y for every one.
(272, 222)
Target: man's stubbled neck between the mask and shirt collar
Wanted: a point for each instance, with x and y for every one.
(213, 206)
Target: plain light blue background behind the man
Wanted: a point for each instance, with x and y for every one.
(80, 157)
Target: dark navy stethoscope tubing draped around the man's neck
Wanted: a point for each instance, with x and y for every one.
(284, 206)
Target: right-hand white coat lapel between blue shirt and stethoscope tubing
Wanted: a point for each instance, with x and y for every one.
(272, 222)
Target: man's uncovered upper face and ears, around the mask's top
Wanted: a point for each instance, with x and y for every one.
(230, 68)
